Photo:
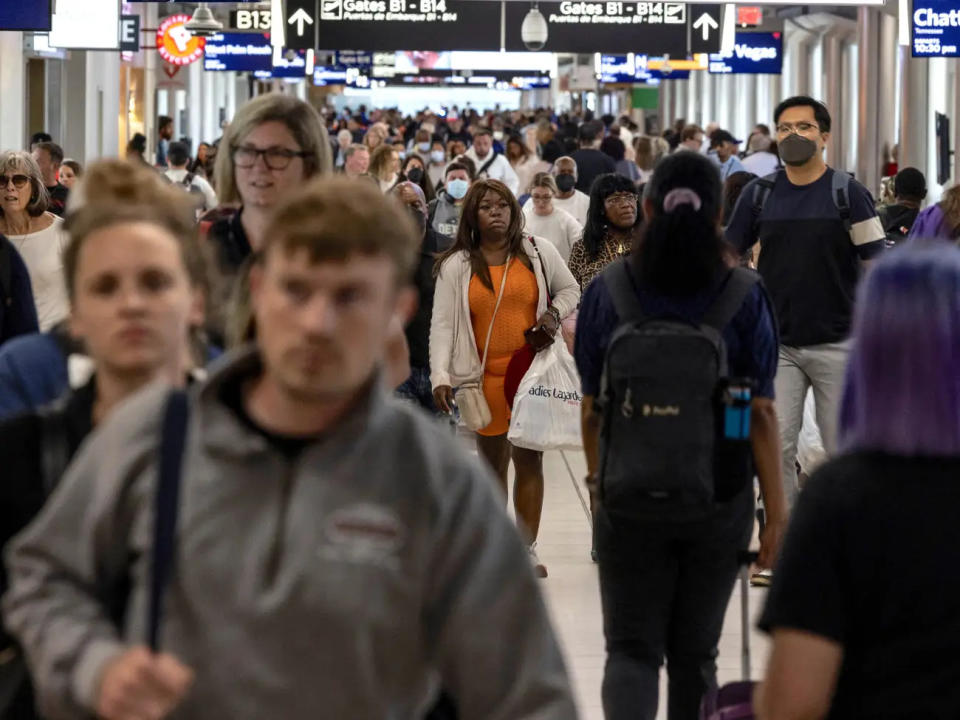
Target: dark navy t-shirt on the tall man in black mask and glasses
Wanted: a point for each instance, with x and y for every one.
(808, 260)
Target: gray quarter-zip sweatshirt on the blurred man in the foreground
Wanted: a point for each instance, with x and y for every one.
(349, 583)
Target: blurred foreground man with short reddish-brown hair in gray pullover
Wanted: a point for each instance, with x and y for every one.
(338, 555)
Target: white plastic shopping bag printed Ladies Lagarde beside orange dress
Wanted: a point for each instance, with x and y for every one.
(546, 408)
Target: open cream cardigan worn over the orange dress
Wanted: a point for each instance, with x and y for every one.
(454, 359)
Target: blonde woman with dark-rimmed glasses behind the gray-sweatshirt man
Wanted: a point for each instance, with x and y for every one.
(273, 145)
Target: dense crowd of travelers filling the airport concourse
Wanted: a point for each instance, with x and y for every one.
(259, 402)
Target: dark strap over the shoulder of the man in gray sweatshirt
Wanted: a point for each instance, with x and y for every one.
(172, 443)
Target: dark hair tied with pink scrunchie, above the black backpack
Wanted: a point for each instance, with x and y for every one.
(682, 249)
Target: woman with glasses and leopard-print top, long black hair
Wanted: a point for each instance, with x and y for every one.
(612, 219)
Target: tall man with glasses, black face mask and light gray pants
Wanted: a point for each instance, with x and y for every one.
(816, 227)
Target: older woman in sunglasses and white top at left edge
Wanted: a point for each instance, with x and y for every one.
(36, 233)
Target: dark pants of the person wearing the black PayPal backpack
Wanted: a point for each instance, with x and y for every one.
(665, 588)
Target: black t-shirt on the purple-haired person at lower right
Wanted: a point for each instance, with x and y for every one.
(871, 561)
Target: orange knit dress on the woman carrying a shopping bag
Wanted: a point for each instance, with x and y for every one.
(517, 314)
